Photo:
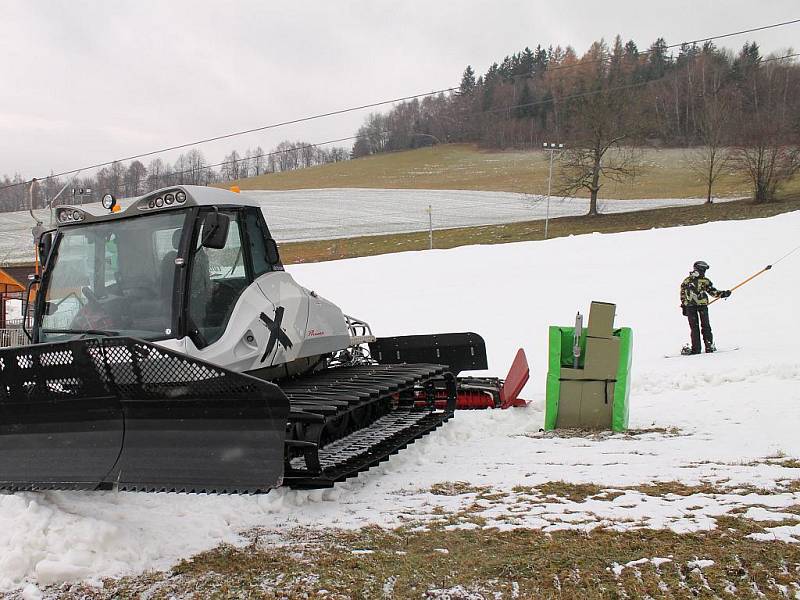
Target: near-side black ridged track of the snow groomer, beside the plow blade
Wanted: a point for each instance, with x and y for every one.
(346, 420)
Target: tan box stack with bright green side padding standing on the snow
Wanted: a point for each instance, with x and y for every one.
(595, 395)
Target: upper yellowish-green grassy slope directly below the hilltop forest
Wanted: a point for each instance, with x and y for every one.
(665, 174)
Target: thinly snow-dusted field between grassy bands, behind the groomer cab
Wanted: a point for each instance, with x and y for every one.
(347, 212)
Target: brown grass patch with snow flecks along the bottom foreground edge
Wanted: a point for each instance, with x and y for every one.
(375, 563)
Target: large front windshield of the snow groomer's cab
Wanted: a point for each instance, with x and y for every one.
(114, 277)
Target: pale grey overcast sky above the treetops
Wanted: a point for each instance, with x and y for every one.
(85, 81)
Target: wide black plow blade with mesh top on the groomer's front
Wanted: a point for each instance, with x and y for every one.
(119, 413)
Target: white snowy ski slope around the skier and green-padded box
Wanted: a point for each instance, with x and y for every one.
(726, 419)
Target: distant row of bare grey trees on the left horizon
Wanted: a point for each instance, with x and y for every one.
(190, 168)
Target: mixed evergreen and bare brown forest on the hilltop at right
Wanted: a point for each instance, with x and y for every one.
(736, 110)
